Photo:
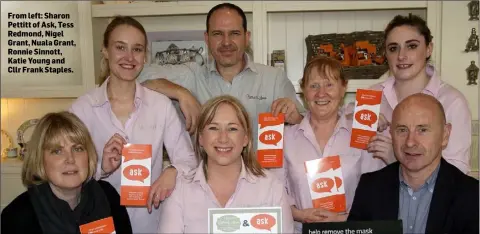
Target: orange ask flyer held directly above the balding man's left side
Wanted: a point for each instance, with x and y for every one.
(365, 117)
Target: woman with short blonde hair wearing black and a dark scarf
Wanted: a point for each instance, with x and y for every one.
(62, 194)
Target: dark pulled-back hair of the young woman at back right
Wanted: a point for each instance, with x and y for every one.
(413, 21)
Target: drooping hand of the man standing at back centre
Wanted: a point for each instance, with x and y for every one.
(191, 110)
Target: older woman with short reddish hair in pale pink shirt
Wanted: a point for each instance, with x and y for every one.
(324, 131)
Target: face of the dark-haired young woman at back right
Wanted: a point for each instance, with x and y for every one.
(407, 52)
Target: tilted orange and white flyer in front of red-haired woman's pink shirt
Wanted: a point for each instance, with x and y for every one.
(325, 178)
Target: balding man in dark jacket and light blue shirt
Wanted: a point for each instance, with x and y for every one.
(423, 190)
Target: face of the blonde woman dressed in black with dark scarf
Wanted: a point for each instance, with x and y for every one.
(66, 164)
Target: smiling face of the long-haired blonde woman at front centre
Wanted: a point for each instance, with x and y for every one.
(224, 138)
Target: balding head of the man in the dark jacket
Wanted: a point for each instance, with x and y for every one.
(419, 134)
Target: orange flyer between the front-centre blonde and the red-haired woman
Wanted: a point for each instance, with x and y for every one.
(270, 140)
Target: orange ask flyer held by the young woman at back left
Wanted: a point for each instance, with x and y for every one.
(136, 174)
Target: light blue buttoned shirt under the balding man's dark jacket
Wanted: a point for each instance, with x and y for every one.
(415, 205)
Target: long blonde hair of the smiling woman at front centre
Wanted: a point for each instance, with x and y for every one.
(209, 109)
